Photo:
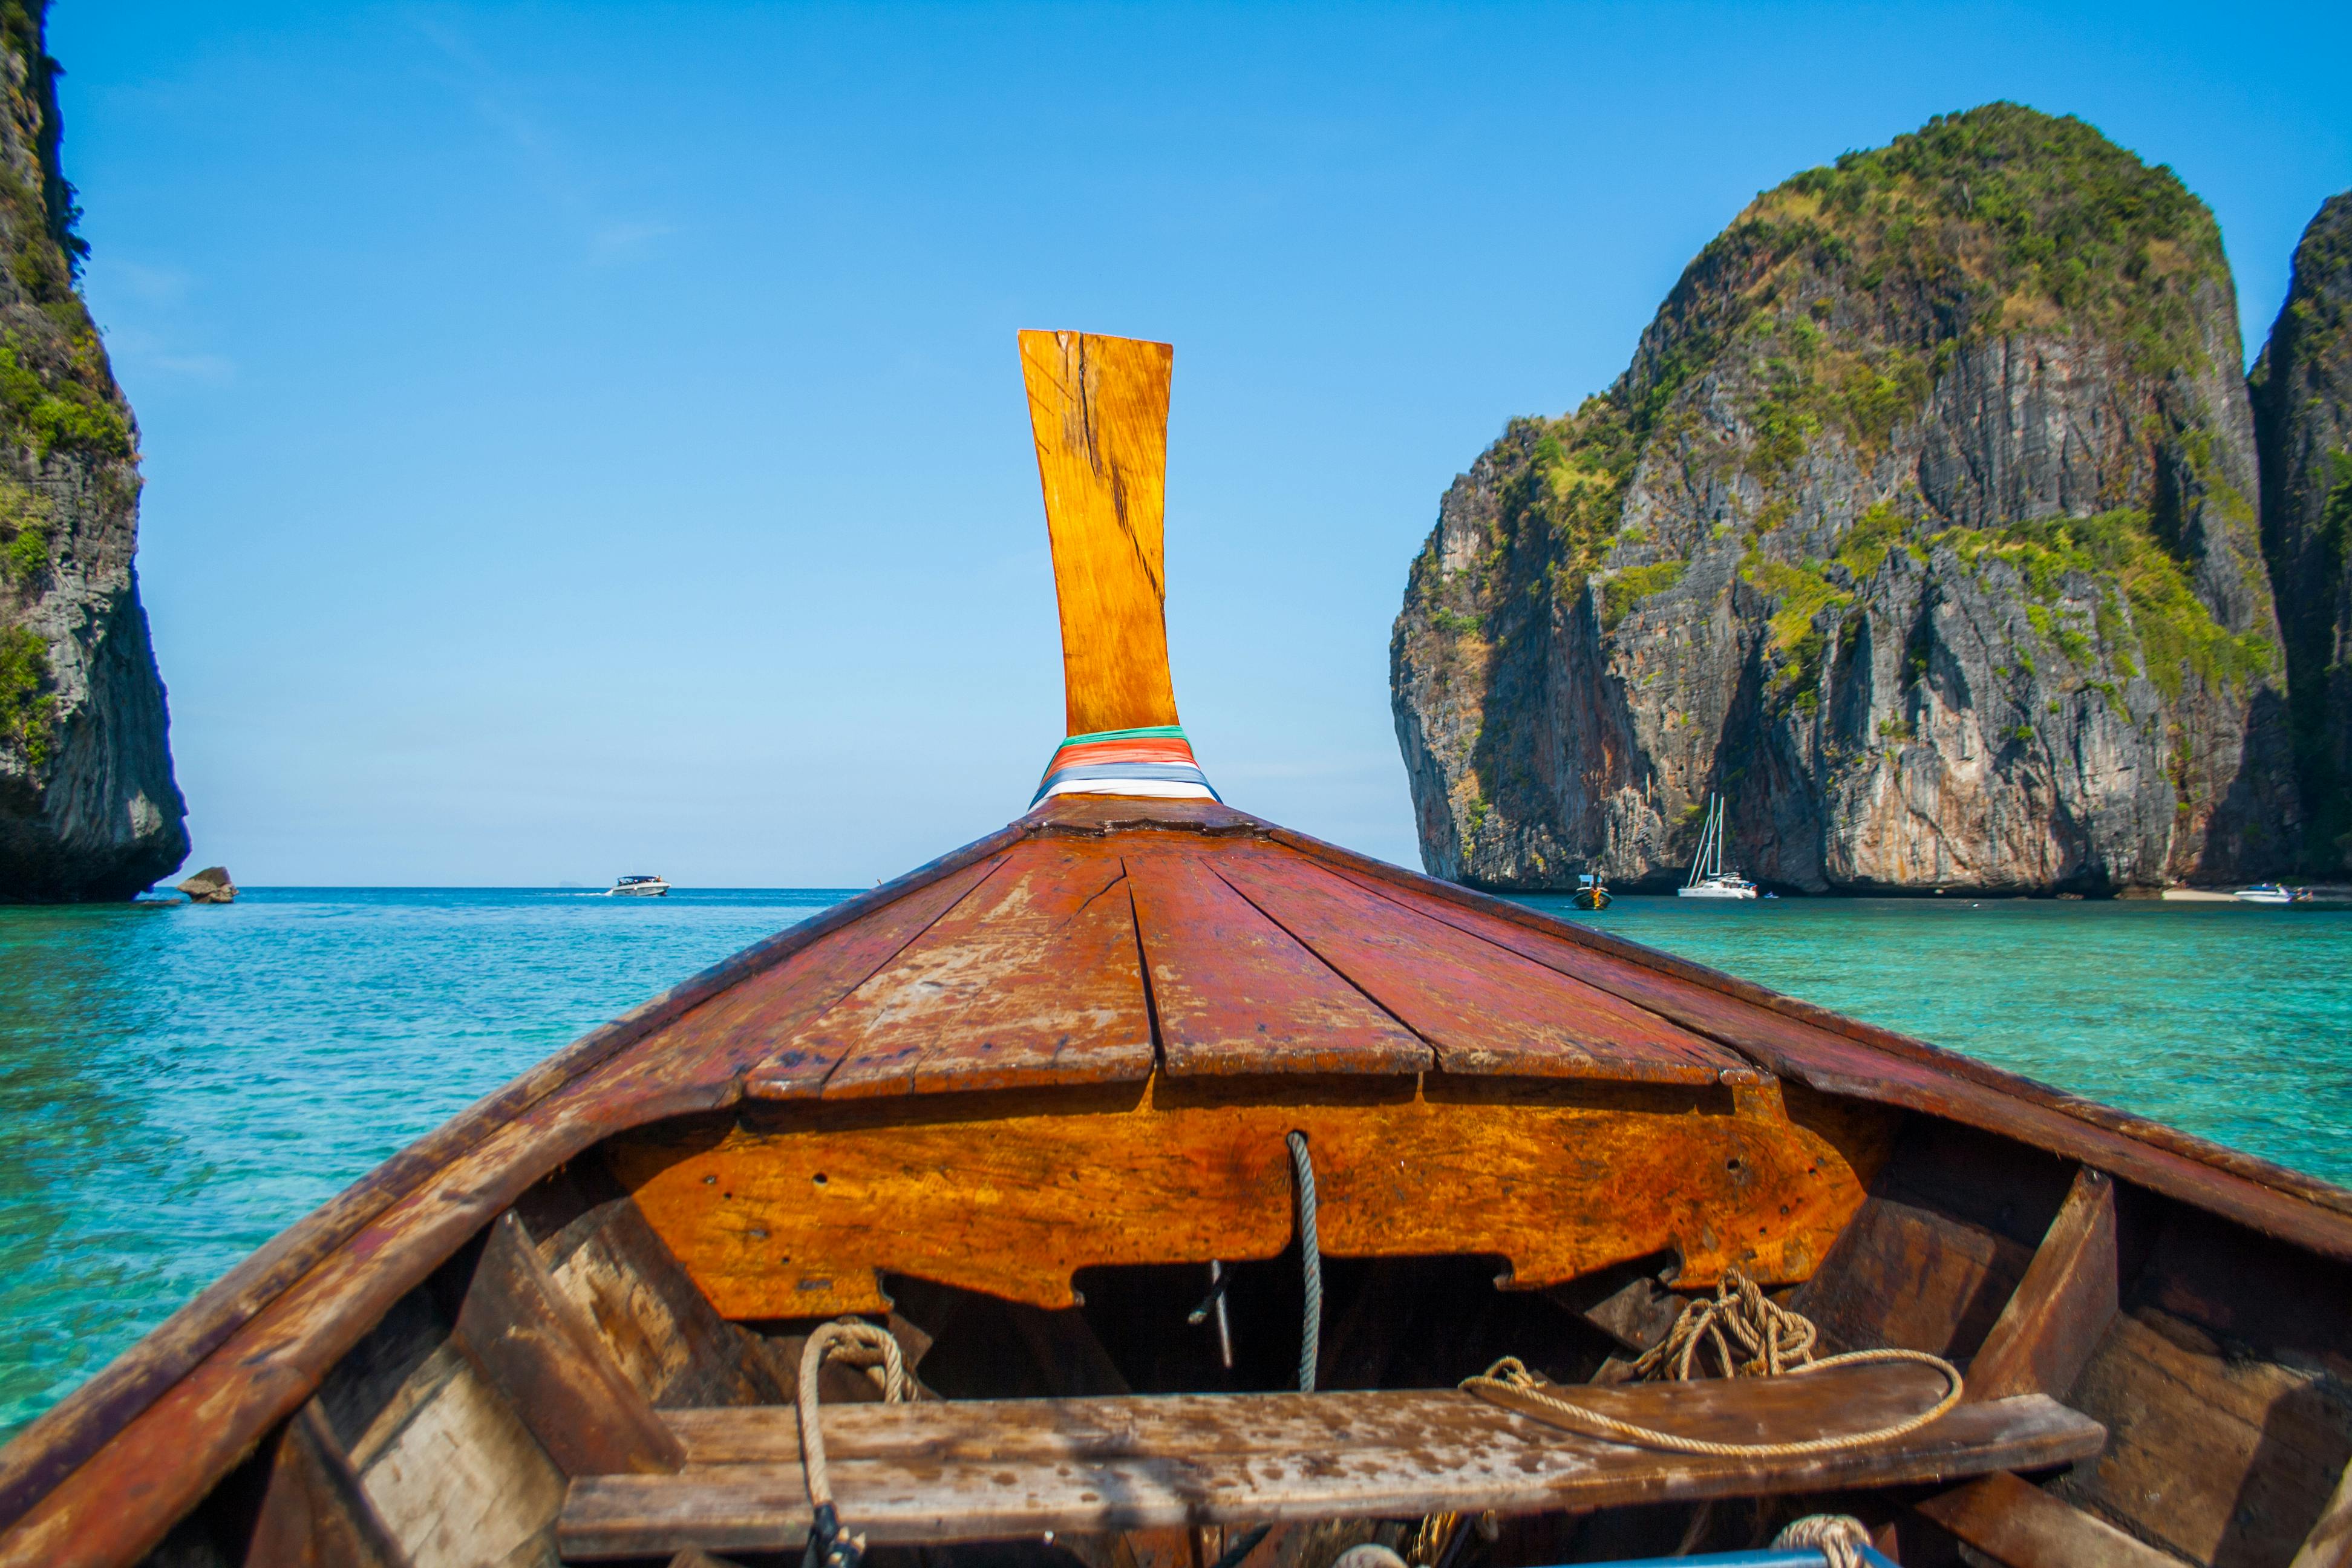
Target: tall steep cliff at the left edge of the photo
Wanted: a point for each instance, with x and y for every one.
(88, 805)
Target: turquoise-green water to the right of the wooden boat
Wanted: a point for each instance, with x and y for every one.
(2229, 1021)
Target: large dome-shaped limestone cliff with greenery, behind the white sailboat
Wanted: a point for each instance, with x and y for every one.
(1923, 528)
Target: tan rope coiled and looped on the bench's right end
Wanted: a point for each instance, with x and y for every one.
(1772, 1343)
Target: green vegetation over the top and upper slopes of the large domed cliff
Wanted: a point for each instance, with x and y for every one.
(1843, 295)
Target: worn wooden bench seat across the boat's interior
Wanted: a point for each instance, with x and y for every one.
(994, 1470)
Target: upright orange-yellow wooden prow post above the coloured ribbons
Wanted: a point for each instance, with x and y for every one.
(1100, 410)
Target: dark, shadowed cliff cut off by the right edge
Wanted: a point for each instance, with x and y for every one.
(2304, 424)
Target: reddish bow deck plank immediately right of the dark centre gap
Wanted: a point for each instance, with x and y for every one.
(1236, 993)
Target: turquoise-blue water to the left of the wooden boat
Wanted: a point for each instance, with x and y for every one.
(178, 1085)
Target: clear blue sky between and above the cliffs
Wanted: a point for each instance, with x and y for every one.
(589, 438)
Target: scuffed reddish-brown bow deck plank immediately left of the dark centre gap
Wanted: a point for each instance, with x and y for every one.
(1034, 979)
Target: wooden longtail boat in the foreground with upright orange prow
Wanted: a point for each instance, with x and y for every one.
(1182, 1170)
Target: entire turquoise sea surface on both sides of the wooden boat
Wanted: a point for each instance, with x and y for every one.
(182, 1083)
